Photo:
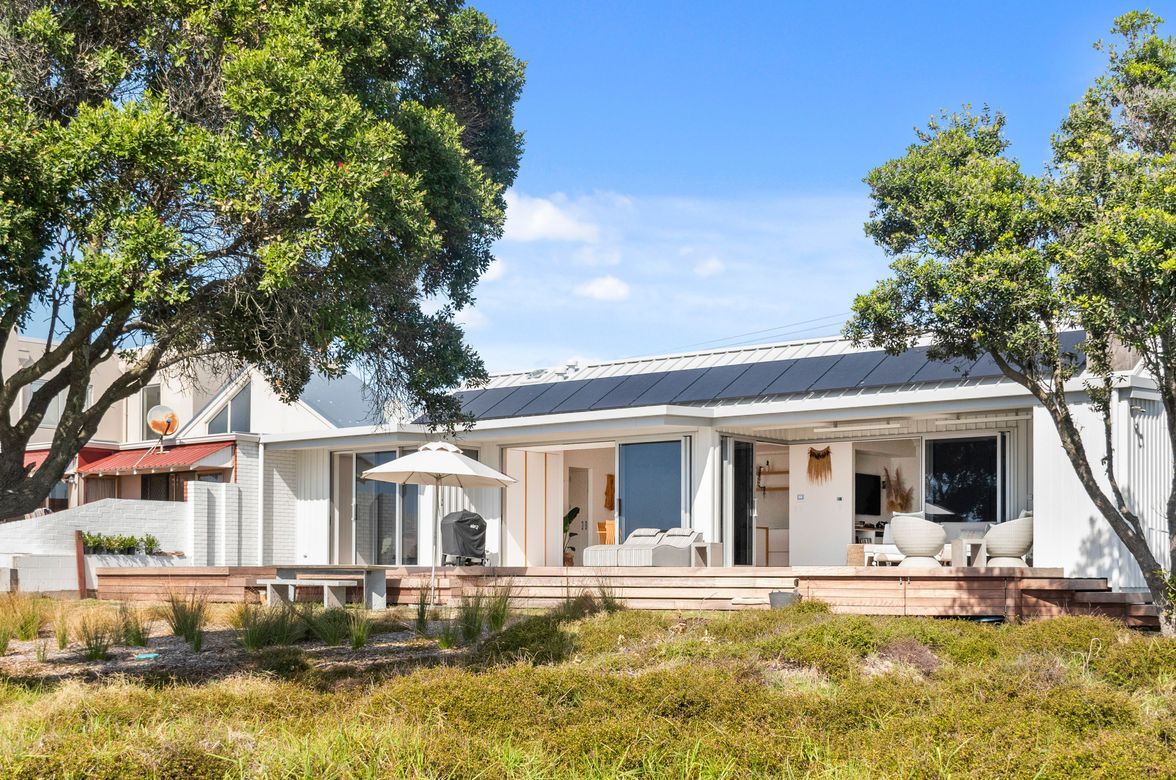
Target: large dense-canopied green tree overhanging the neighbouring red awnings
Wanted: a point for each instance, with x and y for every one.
(288, 184)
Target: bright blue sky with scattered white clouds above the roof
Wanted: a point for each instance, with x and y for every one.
(693, 170)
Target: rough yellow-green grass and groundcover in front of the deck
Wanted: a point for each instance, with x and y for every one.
(585, 692)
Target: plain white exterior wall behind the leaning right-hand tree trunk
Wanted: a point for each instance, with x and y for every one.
(1068, 530)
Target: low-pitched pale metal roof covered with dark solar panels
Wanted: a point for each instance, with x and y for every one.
(721, 377)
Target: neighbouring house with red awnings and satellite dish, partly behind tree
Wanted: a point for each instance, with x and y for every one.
(209, 470)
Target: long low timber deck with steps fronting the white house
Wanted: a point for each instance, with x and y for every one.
(1007, 594)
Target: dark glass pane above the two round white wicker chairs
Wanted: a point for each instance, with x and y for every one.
(963, 479)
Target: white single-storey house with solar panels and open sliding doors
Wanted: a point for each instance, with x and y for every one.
(784, 455)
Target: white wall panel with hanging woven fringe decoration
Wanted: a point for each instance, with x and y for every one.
(821, 519)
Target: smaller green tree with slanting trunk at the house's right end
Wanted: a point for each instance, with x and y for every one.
(992, 259)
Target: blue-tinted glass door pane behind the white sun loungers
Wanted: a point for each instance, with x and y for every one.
(651, 486)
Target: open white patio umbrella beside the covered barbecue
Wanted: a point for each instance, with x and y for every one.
(439, 464)
